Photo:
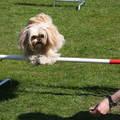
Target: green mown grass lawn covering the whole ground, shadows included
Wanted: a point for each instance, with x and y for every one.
(63, 91)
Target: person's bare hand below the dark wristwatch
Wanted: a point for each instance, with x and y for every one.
(101, 108)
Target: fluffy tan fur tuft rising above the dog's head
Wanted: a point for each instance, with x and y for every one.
(41, 18)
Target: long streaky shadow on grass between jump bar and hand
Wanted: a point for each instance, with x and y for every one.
(99, 91)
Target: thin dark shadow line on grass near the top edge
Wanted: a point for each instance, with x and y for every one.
(42, 5)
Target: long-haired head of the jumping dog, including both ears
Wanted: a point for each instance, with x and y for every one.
(37, 37)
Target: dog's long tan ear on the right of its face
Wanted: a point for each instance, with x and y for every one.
(55, 39)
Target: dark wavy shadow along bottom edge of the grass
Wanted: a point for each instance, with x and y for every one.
(79, 116)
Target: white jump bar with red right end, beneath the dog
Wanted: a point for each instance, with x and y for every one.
(65, 59)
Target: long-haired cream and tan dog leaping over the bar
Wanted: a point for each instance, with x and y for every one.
(40, 40)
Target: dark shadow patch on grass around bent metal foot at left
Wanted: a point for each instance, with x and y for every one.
(7, 90)
